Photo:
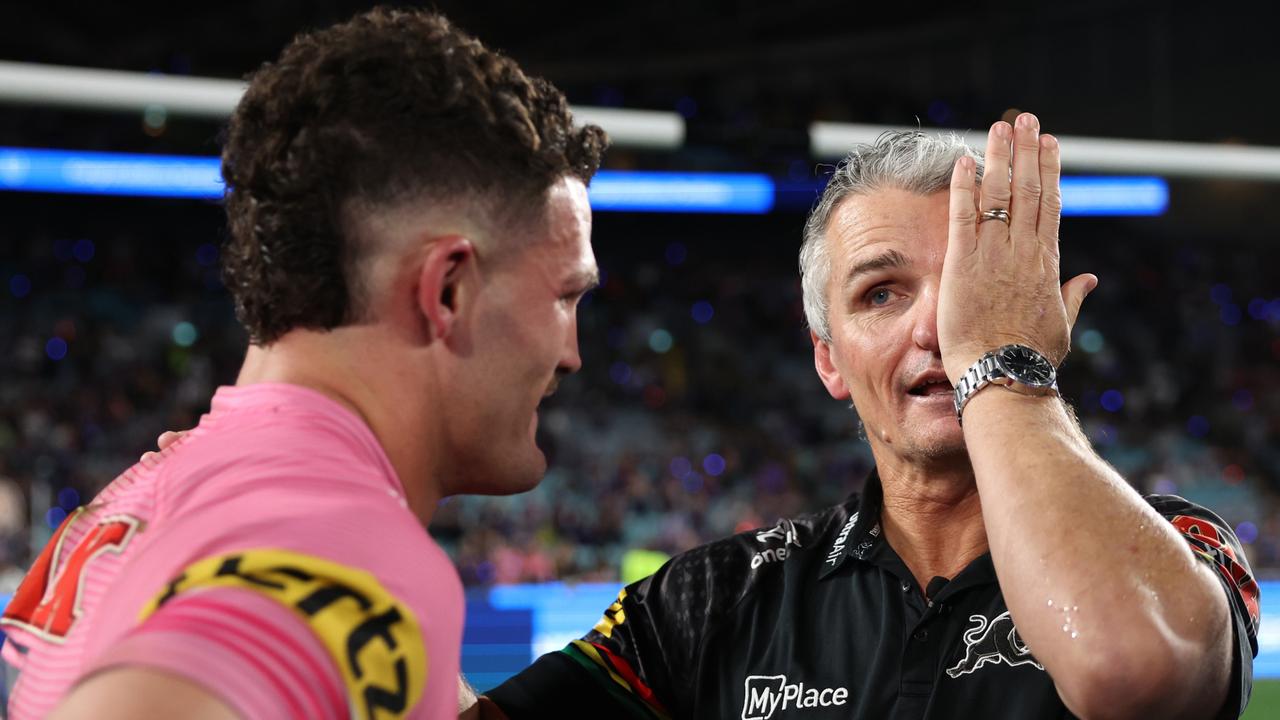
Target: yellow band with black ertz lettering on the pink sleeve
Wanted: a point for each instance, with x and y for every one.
(374, 640)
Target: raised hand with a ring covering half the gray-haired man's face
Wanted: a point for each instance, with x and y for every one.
(1000, 279)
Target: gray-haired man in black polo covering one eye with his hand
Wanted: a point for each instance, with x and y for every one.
(994, 566)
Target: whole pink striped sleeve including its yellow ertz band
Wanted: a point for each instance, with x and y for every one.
(278, 634)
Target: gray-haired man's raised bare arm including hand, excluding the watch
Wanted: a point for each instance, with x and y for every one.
(1107, 594)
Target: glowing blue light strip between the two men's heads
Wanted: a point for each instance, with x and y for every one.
(634, 192)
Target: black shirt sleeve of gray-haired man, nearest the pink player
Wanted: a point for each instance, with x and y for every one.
(641, 660)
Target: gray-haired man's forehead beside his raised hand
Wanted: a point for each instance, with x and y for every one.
(888, 220)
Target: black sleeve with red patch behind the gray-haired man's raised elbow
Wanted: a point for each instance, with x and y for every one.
(1215, 544)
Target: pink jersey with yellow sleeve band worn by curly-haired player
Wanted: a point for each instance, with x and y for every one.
(268, 557)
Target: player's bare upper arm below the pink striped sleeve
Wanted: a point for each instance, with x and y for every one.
(127, 694)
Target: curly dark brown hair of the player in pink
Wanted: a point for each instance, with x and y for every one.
(391, 106)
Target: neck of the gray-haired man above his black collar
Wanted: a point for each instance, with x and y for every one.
(932, 518)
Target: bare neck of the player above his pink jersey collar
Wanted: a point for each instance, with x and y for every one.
(337, 364)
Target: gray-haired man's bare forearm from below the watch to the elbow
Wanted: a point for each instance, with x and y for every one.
(1104, 590)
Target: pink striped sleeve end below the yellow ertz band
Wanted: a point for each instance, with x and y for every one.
(250, 651)
